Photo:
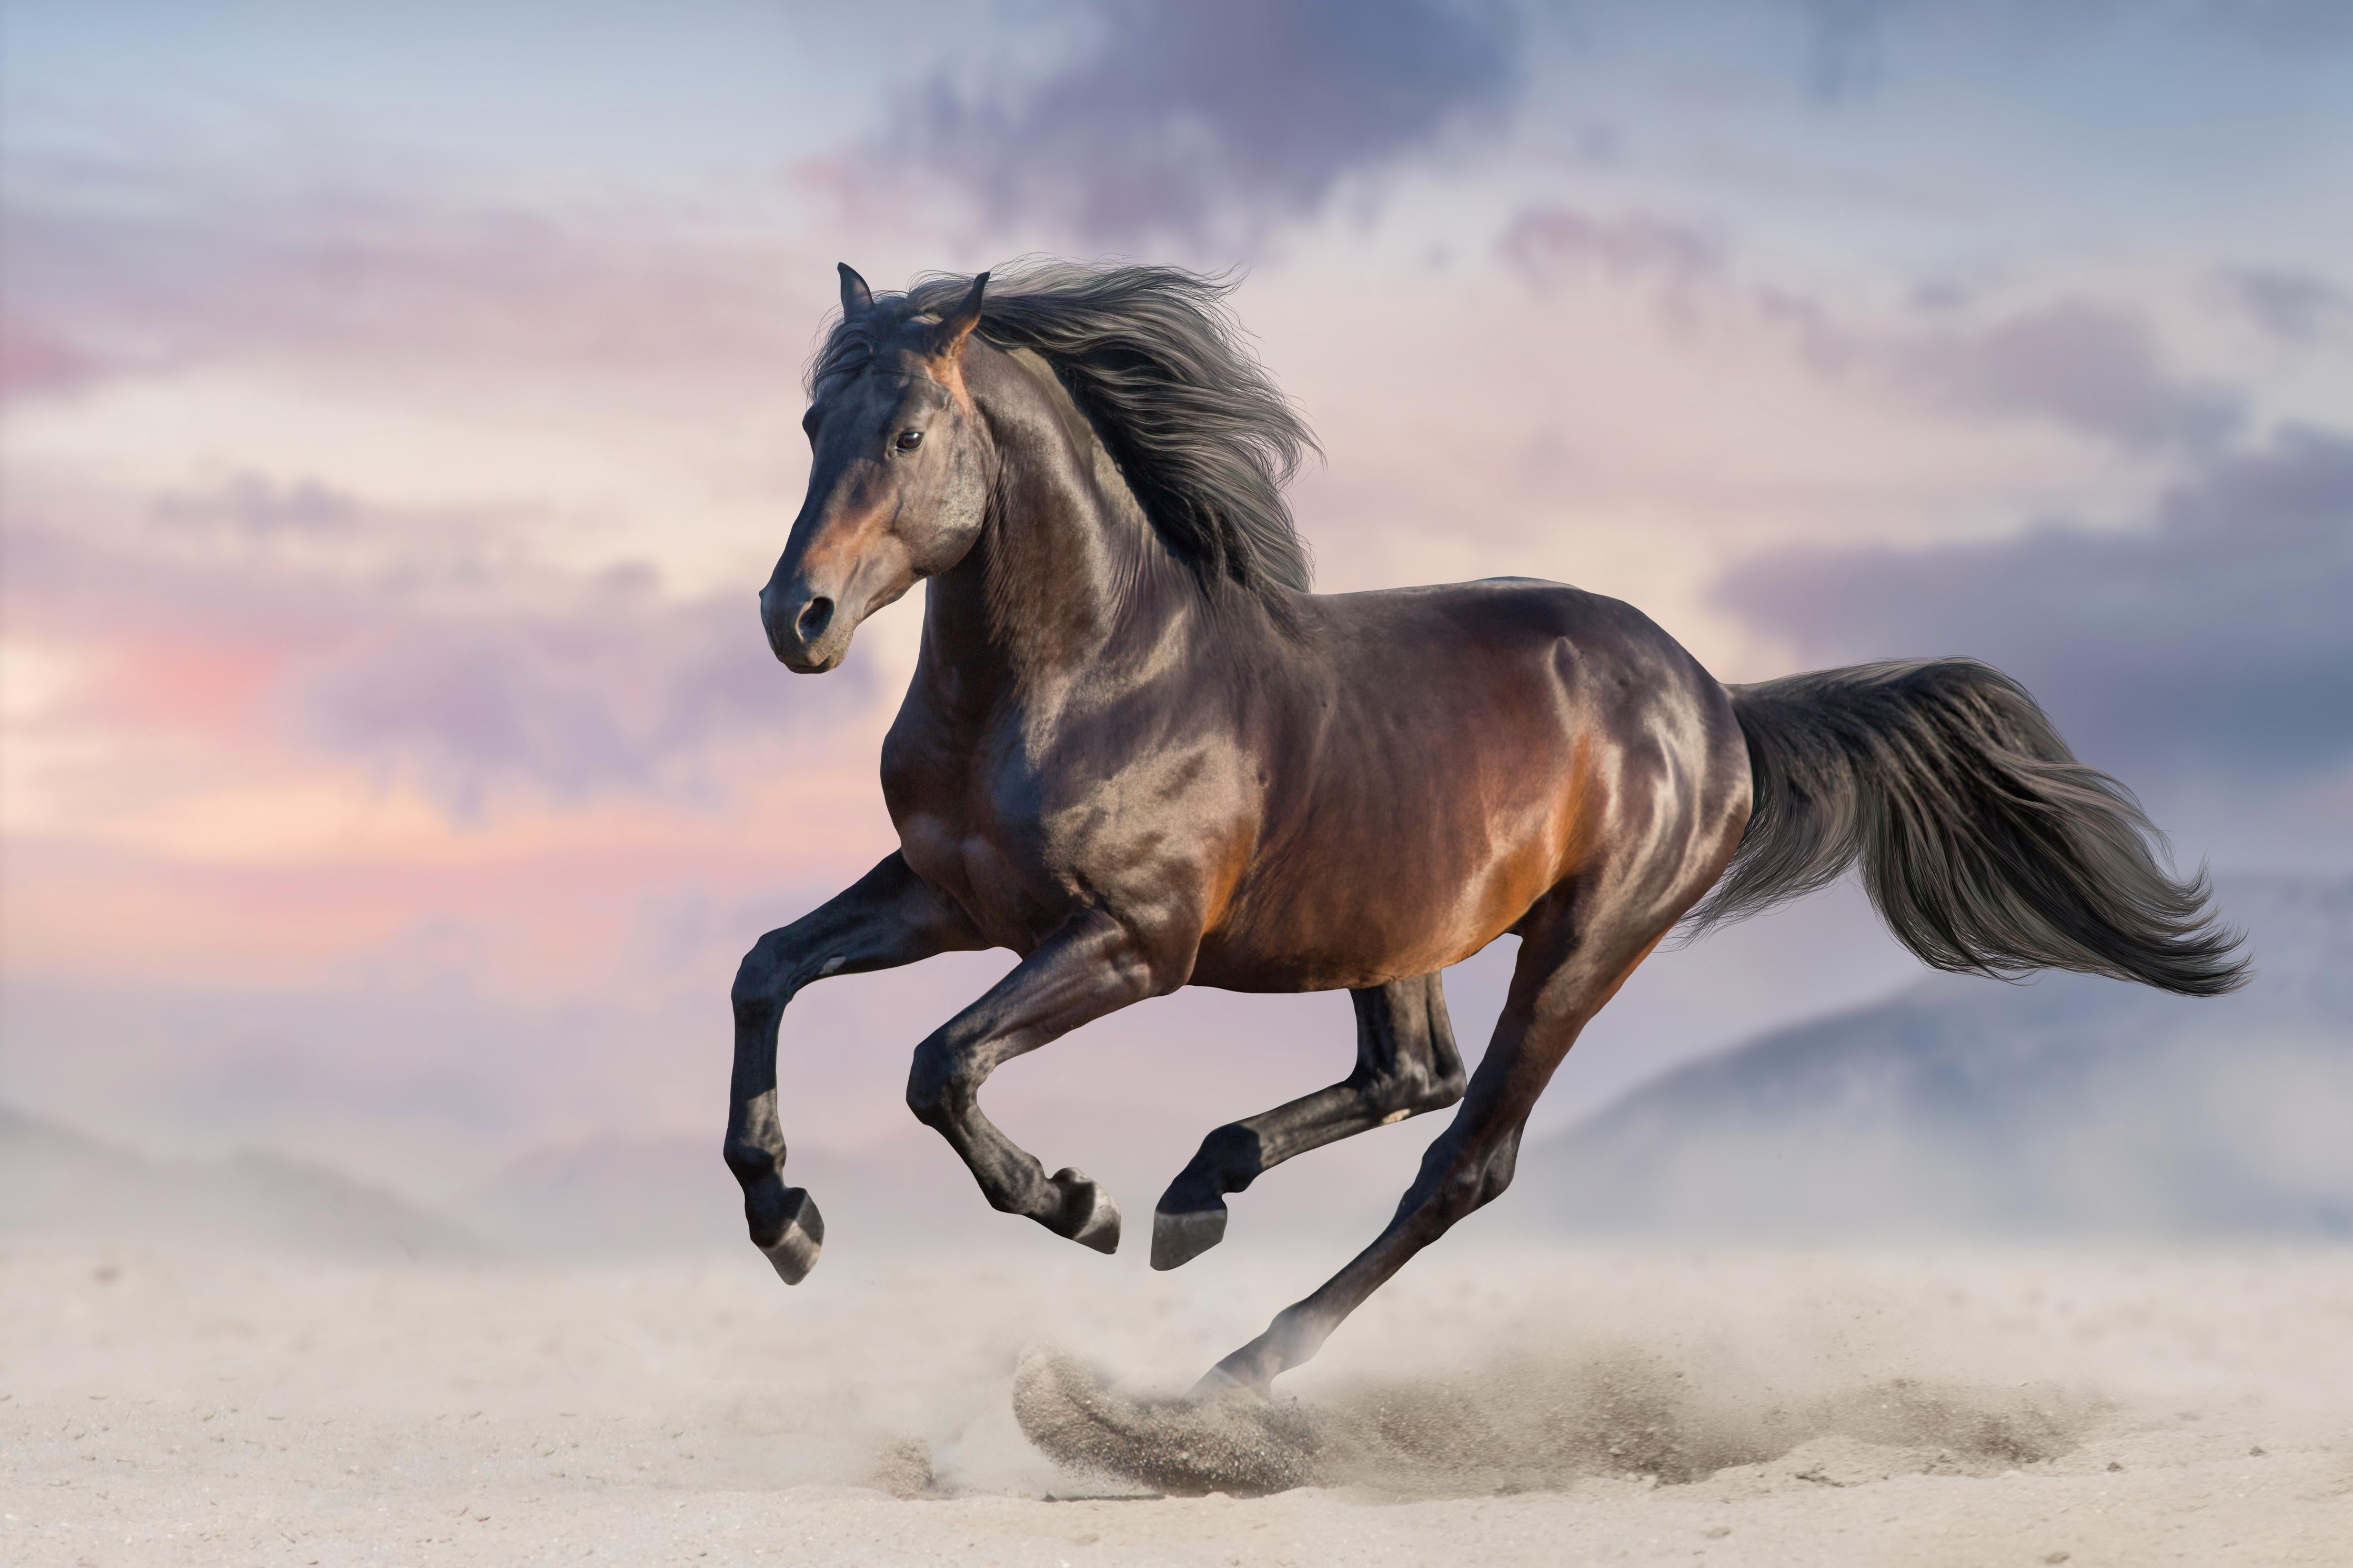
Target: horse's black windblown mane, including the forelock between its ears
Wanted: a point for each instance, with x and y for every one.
(1161, 370)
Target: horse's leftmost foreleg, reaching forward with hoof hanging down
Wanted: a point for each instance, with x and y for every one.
(884, 920)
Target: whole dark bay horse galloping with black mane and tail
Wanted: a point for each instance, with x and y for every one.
(1140, 753)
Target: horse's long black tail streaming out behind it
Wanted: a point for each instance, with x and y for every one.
(1985, 845)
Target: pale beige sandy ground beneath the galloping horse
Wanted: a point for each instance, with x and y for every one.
(1495, 1407)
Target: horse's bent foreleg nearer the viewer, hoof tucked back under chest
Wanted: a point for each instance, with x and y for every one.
(1086, 970)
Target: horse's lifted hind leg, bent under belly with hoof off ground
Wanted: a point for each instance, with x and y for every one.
(1406, 1064)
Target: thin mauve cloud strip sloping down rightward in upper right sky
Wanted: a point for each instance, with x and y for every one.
(2081, 366)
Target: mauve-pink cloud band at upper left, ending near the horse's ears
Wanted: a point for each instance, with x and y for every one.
(149, 260)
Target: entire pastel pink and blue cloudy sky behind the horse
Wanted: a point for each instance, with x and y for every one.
(399, 410)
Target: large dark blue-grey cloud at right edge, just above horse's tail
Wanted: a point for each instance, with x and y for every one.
(2213, 641)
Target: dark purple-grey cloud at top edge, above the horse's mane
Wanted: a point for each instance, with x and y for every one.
(1220, 116)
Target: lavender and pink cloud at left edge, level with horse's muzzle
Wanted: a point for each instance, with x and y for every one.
(425, 645)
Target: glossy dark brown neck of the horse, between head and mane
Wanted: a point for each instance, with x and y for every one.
(1067, 575)
